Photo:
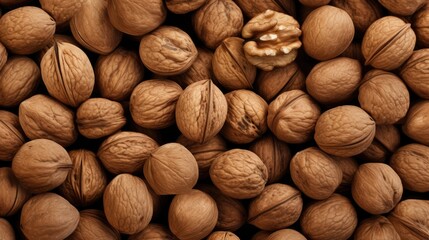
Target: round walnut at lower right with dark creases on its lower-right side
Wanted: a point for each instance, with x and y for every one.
(376, 188)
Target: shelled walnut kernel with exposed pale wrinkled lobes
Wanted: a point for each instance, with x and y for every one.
(274, 40)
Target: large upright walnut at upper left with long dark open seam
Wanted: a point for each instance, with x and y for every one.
(67, 74)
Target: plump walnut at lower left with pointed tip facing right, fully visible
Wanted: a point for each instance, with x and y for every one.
(41, 165)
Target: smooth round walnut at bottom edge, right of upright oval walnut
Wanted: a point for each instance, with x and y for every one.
(192, 215)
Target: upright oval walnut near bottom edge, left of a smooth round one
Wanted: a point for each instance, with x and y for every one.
(127, 204)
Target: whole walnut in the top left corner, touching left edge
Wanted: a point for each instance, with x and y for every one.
(26, 30)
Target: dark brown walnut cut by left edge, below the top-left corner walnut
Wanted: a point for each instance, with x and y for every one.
(19, 77)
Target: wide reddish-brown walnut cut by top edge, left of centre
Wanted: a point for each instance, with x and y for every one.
(126, 16)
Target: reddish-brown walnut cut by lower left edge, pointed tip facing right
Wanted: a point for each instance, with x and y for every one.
(12, 194)
